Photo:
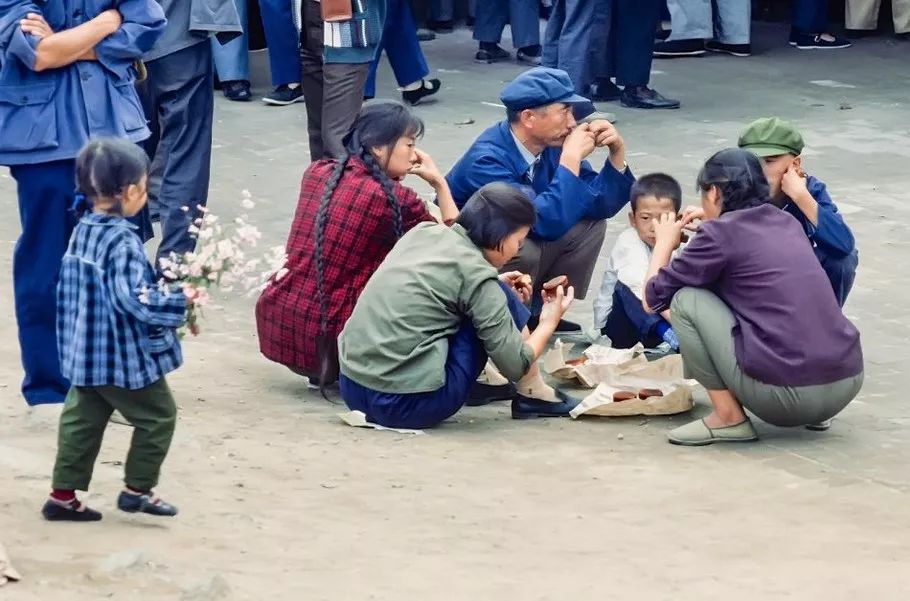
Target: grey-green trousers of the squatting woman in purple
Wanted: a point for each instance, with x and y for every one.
(704, 325)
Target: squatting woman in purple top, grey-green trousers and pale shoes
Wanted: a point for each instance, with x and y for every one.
(758, 323)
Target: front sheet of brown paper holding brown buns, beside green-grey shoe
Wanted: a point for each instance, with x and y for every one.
(664, 374)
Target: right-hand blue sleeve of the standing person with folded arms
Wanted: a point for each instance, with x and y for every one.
(143, 24)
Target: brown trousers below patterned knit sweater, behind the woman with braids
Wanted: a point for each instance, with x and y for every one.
(342, 96)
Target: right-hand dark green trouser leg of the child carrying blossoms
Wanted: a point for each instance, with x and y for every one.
(152, 412)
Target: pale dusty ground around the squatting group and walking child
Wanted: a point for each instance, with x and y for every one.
(280, 500)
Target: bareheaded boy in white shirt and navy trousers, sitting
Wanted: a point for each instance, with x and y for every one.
(618, 311)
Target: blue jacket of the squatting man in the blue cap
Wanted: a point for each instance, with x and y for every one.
(562, 199)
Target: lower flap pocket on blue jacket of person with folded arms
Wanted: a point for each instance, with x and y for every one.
(28, 117)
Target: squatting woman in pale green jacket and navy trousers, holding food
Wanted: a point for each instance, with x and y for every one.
(437, 308)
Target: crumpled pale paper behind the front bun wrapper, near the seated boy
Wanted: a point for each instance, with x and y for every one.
(599, 363)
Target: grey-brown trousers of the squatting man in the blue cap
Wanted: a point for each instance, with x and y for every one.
(573, 256)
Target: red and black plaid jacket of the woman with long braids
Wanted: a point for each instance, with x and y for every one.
(358, 235)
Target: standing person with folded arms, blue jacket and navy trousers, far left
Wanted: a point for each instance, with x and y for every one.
(66, 75)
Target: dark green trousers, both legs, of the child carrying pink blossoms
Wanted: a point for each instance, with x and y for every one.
(153, 414)
